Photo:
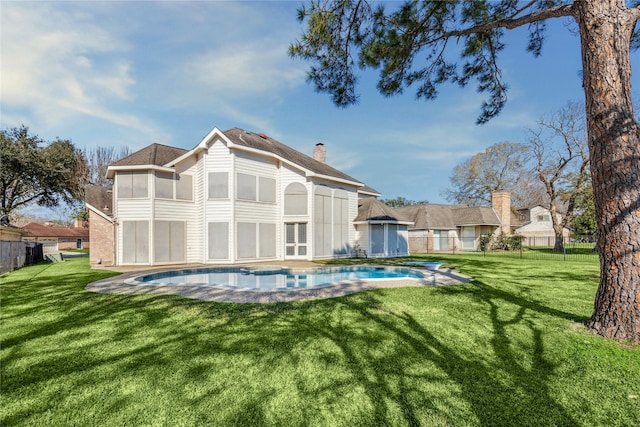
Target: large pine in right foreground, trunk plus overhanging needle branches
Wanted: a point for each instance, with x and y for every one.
(341, 33)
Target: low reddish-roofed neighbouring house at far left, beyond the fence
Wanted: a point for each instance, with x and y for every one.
(55, 239)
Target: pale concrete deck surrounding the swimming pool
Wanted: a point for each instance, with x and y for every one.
(117, 285)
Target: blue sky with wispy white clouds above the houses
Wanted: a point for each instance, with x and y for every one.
(135, 73)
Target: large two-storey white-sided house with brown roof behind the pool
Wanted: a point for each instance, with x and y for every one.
(236, 197)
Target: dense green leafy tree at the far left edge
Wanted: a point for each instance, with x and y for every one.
(31, 172)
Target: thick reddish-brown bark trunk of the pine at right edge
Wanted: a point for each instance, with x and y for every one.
(614, 146)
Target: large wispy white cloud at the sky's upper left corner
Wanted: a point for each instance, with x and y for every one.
(57, 63)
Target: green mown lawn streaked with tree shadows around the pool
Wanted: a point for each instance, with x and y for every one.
(508, 349)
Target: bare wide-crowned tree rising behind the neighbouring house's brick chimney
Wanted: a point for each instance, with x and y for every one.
(499, 167)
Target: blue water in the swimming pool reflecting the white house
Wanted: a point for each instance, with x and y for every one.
(274, 278)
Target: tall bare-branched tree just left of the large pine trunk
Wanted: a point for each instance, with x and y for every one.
(561, 162)
